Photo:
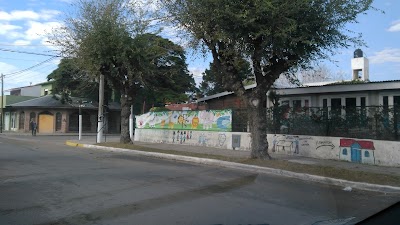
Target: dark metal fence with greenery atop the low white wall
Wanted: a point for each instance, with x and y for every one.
(374, 122)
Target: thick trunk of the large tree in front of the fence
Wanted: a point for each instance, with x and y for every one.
(258, 124)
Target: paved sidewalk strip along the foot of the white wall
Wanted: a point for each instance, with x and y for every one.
(246, 154)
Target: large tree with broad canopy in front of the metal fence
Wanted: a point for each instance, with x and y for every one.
(275, 36)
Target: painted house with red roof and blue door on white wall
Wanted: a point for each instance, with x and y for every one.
(359, 151)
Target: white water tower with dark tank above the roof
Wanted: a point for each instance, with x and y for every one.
(360, 66)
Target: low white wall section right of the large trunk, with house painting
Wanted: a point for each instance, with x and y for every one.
(376, 152)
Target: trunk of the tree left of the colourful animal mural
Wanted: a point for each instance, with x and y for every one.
(126, 102)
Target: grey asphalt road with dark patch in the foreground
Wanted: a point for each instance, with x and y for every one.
(44, 182)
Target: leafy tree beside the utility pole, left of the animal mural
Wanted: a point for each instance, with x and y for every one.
(109, 37)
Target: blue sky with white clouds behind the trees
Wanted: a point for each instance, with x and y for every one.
(24, 23)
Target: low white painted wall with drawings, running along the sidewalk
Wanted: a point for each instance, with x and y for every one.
(377, 152)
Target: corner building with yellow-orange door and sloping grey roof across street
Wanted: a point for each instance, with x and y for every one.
(53, 116)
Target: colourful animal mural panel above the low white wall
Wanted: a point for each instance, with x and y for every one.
(210, 120)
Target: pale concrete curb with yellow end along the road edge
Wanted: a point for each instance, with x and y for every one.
(250, 168)
